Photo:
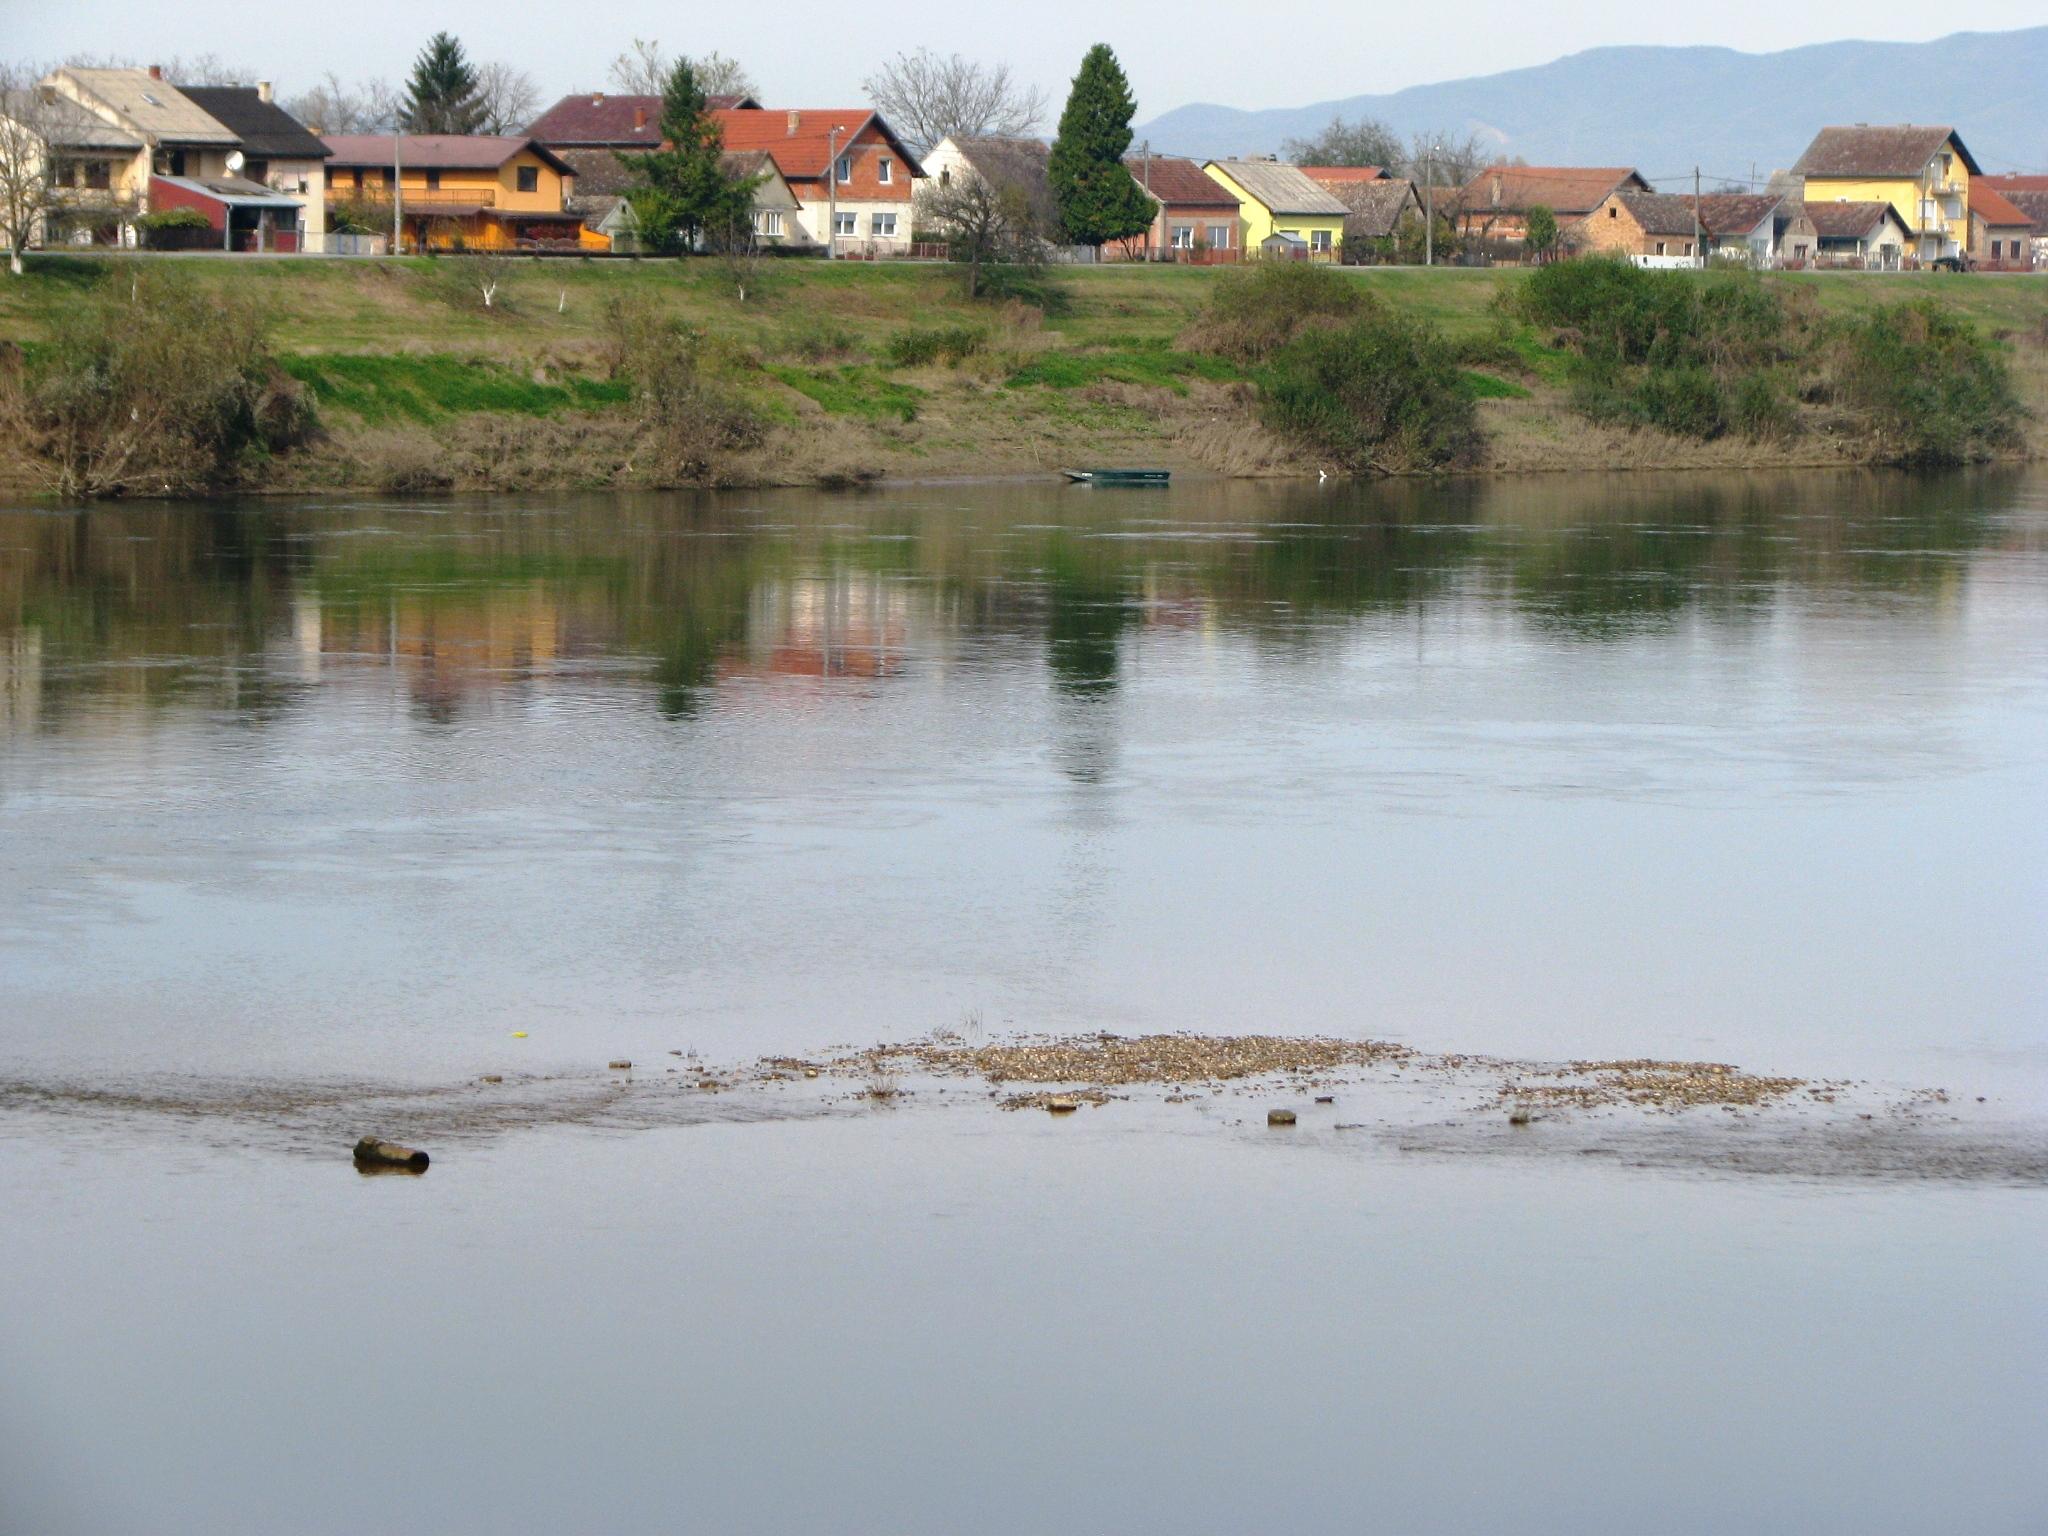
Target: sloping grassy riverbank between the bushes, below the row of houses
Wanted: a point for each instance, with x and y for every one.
(861, 372)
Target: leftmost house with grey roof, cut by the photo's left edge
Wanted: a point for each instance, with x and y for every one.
(97, 173)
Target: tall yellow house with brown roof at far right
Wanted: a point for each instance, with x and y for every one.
(1924, 173)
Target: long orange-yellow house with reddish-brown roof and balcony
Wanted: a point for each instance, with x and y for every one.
(456, 191)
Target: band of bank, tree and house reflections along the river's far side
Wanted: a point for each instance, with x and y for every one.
(146, 609)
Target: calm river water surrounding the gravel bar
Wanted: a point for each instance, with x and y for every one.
(1736, 769)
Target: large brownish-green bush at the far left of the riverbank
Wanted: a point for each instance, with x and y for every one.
(151, 386)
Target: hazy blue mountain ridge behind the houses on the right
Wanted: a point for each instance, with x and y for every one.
(1668, 110)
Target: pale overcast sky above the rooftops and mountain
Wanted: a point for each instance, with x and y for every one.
(1277, 54)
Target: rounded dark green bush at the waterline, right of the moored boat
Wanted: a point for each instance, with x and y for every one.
(1379, 394)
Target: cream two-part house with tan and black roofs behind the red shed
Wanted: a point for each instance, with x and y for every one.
(230, 155)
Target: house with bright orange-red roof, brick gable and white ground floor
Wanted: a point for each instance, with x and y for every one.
(849, 173)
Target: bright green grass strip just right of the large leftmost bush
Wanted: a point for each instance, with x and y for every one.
(429, 388)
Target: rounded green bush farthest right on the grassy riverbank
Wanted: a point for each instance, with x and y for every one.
(1928, 384)
